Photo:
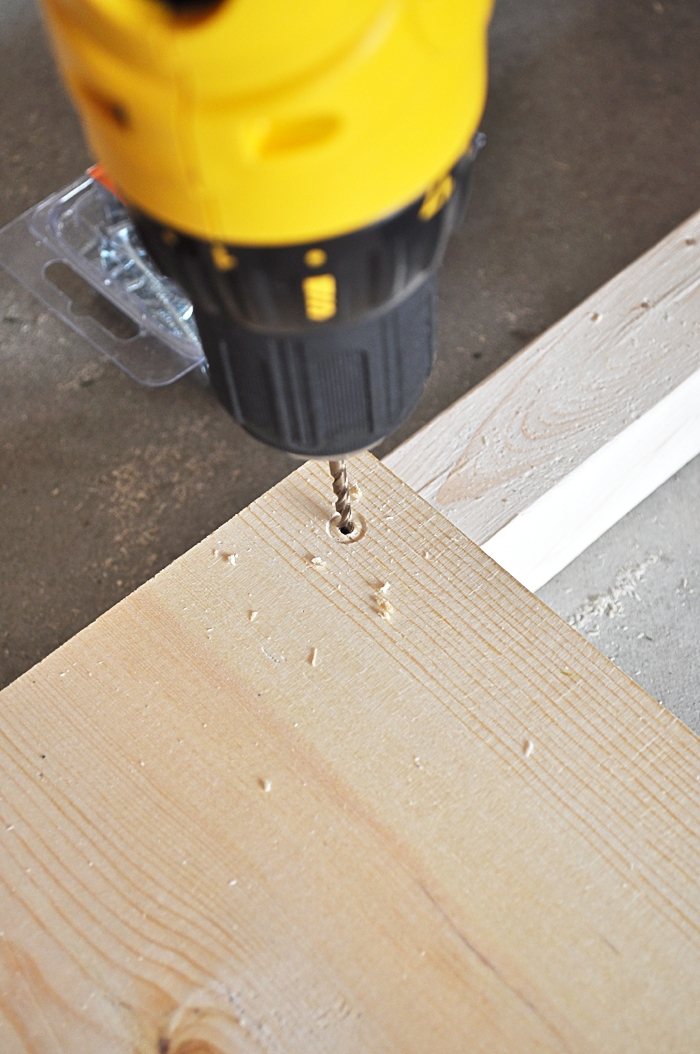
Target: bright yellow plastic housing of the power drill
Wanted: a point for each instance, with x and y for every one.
(271, 123)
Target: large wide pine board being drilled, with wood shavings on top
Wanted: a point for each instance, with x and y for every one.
(318, 830)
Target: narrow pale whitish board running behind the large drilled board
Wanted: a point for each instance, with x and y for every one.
(536, 463)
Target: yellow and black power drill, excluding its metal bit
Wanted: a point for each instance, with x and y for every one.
(298, 167)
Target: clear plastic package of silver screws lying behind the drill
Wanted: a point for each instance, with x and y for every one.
(77, 251)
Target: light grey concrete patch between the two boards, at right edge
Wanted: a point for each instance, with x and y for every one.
(635, 594)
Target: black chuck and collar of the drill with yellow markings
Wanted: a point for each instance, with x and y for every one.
(321, 349)
